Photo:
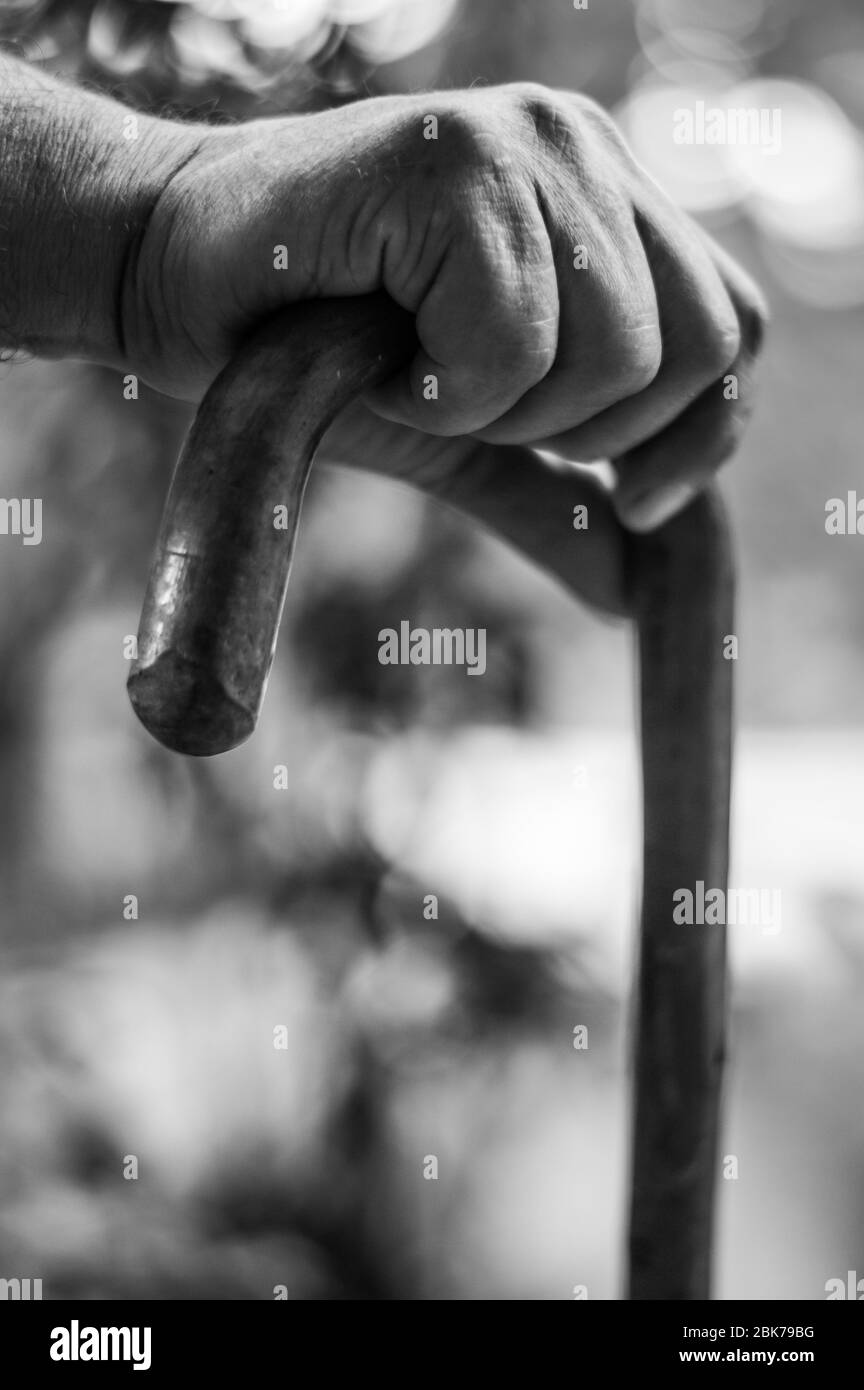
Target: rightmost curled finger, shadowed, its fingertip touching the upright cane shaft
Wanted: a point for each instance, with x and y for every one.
(661, 477)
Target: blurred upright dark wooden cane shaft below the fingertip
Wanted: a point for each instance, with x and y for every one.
(683, 593)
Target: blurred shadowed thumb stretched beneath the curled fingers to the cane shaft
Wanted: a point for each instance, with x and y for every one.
(510, 491)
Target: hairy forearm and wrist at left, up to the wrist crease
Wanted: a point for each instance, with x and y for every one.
(80, 177)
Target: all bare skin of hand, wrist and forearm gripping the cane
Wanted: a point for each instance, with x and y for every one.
(169, 263)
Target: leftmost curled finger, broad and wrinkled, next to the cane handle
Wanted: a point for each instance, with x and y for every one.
(488, 326)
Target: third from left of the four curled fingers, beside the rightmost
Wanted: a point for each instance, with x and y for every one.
(699, 334)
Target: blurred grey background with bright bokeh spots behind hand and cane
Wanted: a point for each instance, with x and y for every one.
(163, 917)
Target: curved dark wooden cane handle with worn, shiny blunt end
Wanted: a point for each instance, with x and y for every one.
(217, 584)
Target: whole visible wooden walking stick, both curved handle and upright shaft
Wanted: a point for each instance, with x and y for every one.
(206, 643)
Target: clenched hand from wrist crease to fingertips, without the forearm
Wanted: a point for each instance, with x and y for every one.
(619, 351)
